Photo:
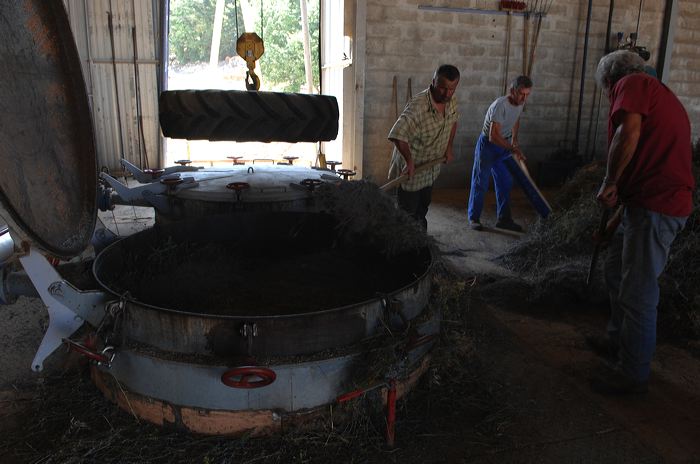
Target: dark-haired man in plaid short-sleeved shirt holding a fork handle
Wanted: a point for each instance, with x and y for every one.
(424, 132)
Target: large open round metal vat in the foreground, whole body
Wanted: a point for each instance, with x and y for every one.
(285, 299)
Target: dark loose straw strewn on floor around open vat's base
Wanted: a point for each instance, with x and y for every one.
(65, 419)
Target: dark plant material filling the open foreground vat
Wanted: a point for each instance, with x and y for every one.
(306, 269)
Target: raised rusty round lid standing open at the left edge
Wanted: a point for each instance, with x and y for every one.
(48, 175)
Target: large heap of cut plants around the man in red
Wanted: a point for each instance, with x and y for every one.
(554, 257)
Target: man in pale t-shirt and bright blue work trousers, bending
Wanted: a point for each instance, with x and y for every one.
(498, 140)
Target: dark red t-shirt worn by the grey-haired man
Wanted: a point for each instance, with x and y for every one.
(659, 176)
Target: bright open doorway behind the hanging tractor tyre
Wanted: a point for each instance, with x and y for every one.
(202, 55)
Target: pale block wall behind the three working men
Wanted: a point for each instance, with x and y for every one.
(405, 41)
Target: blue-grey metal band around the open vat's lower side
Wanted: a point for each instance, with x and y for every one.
(298, 386)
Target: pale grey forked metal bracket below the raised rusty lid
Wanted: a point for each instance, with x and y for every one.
(56, 294)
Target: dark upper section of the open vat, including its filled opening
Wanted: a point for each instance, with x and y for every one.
(189, 287)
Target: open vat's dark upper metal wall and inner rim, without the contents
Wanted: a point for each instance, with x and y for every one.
(219, 335)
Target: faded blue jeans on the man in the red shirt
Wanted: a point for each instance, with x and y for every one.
(635, 259)
